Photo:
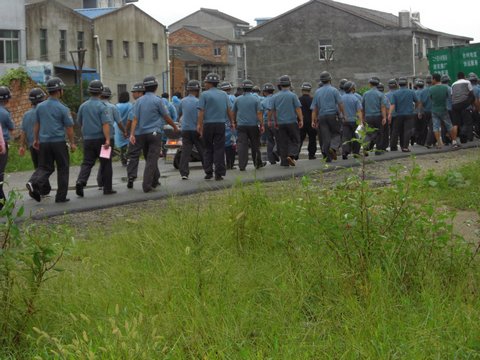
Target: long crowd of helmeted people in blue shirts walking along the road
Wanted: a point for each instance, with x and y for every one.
(220, 126)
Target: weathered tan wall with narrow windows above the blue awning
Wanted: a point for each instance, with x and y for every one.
(54, 17)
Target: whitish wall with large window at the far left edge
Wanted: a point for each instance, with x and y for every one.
(13, 18)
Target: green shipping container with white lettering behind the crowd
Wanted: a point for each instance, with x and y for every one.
(451, 60)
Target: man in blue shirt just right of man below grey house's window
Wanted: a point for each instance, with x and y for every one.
(353, 117)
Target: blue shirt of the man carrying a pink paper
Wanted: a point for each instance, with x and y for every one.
(92, 114)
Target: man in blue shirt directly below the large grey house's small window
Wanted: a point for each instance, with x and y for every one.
(327, 114)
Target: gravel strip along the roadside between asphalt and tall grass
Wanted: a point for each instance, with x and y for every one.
(377, 172)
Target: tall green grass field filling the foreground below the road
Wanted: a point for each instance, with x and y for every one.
(303, 272)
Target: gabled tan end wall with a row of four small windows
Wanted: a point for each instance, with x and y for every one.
(132, 25)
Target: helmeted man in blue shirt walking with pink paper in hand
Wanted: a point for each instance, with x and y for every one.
(96, 123)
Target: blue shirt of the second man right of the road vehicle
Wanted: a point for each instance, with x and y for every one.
(215, 103)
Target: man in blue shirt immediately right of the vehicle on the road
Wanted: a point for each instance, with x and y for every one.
(188, 114)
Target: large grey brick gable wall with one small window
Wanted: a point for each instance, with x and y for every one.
(289, 45)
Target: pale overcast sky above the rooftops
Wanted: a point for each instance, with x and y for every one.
(451, 17)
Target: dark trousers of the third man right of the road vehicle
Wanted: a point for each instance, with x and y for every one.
(248, 137)
